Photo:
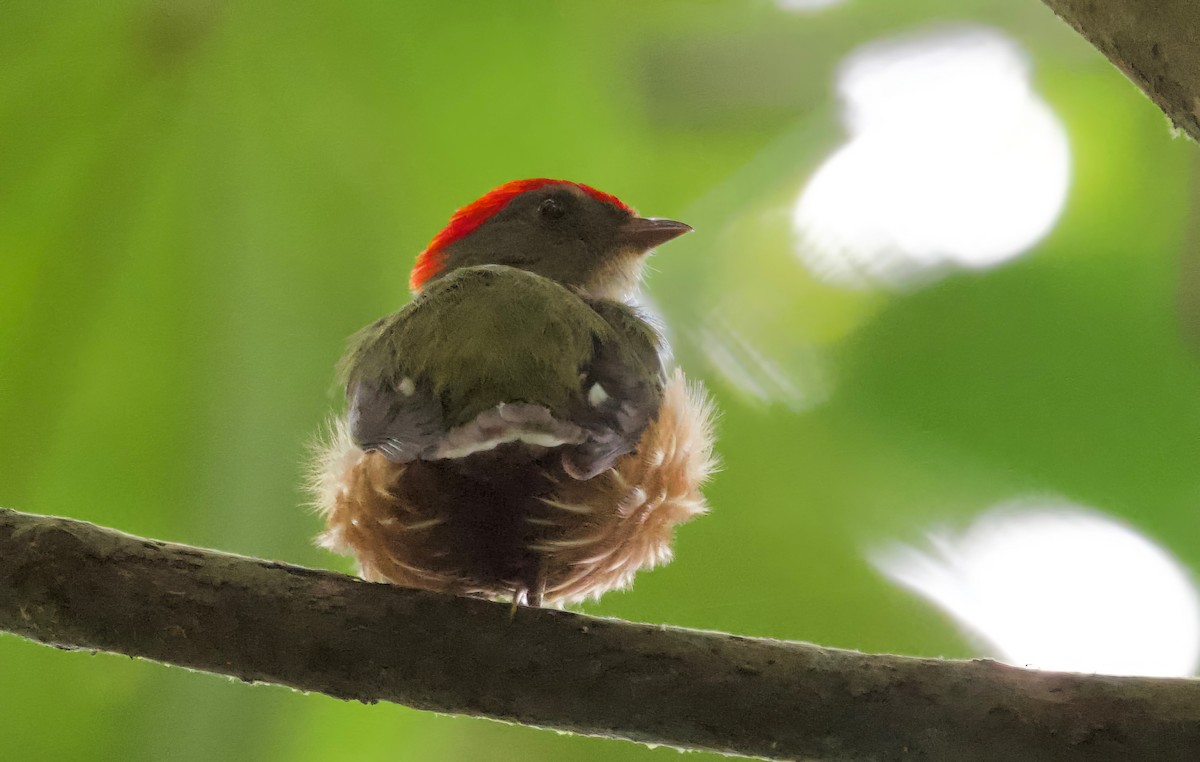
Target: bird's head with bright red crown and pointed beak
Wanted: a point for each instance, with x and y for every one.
(568, 232)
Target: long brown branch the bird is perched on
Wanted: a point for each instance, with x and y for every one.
(74, 585)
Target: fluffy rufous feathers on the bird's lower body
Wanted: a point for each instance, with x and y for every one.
(376, 511)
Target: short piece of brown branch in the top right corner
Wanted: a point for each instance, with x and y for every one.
(1155, 43)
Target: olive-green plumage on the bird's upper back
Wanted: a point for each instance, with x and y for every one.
(495, 334)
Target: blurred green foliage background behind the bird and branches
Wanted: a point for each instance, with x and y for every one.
(200, 201)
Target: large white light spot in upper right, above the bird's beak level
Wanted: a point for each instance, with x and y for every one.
(953, 161)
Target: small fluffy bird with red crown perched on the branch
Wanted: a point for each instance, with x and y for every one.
(512, 433)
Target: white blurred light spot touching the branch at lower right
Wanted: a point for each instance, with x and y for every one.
(1059, 587)
